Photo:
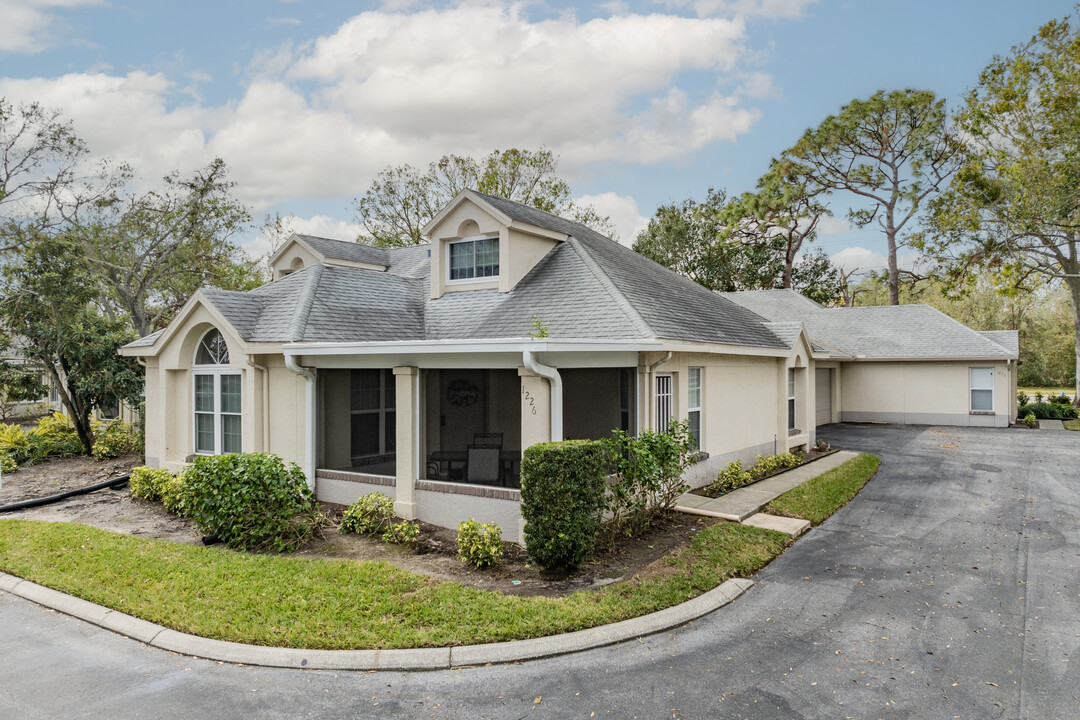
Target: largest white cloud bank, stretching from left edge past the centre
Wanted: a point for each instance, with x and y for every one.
(320, 119)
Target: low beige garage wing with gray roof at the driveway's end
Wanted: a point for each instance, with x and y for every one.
(903, 364)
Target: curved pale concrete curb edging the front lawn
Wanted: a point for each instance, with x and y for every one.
(421, 659)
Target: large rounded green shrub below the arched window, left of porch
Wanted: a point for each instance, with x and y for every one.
(251, 500)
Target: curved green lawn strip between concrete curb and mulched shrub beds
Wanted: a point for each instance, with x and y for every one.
(299, 603)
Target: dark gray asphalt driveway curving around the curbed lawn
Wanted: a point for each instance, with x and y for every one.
(949, 589)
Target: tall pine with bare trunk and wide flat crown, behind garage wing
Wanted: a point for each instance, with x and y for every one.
(893, 151)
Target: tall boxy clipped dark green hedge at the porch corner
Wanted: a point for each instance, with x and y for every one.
(562, 496)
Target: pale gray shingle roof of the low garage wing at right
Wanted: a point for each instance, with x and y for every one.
(883, 333)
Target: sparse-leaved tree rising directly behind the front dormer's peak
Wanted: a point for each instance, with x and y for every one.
(402, 200)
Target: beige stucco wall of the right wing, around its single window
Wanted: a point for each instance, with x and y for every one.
(923, 393)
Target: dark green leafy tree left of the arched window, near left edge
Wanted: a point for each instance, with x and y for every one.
(49, 302)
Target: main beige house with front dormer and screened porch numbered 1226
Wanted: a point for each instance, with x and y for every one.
(425, 372)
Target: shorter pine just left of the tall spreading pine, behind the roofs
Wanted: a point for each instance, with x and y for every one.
(781, 216)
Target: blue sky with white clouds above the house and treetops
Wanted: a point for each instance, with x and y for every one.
(644, 103)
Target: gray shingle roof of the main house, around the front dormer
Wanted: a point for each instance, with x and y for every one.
(587, 288)
